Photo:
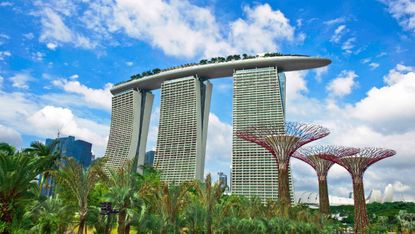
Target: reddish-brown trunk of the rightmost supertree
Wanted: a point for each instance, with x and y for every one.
(360, 212)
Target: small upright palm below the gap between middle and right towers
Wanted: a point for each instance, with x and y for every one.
(209, 194)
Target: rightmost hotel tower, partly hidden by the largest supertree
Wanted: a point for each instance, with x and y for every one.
(258, 98)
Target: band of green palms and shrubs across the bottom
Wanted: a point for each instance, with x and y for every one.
(146, 204)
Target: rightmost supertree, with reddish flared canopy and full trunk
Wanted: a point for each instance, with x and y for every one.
(357, 165)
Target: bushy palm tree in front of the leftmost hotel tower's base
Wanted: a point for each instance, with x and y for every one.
(124, 185)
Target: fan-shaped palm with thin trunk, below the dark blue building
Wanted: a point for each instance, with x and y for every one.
(79, 182)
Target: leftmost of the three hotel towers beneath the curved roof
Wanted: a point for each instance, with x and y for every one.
(130, 120)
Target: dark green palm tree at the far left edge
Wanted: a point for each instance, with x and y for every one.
(17, 172)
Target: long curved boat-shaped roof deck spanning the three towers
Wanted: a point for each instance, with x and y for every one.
(224, 69)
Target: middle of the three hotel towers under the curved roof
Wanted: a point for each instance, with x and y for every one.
(181, 142)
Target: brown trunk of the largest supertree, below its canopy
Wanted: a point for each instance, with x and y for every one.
(284, 187)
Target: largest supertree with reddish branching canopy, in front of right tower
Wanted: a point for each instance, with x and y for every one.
(282, 142)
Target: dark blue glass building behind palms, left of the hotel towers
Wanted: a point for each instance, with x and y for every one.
(69, 147)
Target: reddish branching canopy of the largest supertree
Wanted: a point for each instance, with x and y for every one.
(303, 133)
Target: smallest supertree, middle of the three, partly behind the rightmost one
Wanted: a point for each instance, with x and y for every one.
(310, 155)
